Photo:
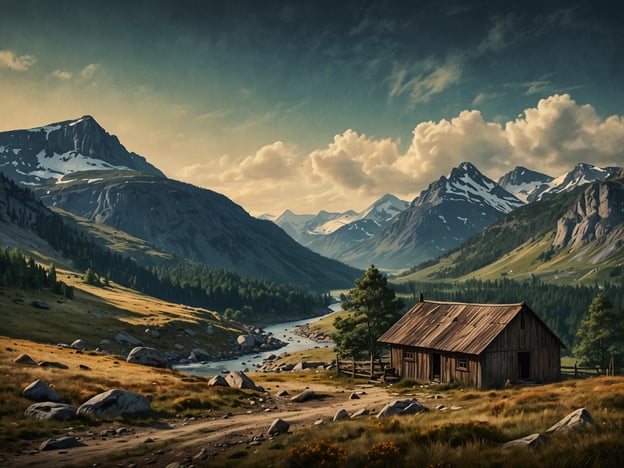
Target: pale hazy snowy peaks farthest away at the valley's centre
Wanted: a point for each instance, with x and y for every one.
(333, 234)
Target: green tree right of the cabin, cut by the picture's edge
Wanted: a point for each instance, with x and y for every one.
(600, 337)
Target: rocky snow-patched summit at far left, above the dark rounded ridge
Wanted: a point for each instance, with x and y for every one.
(39, 154)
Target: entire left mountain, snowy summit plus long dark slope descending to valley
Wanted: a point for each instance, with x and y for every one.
(77, 166)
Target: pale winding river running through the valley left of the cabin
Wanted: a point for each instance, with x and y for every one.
(247, 363)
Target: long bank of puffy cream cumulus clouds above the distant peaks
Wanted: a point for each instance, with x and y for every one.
(353, 170)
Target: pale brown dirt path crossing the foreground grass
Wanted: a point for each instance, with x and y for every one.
(180, 441)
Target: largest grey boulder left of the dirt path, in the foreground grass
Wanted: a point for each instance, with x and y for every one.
(116, 403)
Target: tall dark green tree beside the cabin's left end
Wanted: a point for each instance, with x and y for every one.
(374, 308)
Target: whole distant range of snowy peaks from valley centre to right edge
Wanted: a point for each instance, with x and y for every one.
(440, 219)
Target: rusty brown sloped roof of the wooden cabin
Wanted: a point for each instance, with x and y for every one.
(452, 326)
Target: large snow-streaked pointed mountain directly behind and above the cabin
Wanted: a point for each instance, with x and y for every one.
(443, 216)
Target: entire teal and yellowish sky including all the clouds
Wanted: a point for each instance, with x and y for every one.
(321, 105)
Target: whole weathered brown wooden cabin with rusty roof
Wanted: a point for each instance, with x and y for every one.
(483, 345)
